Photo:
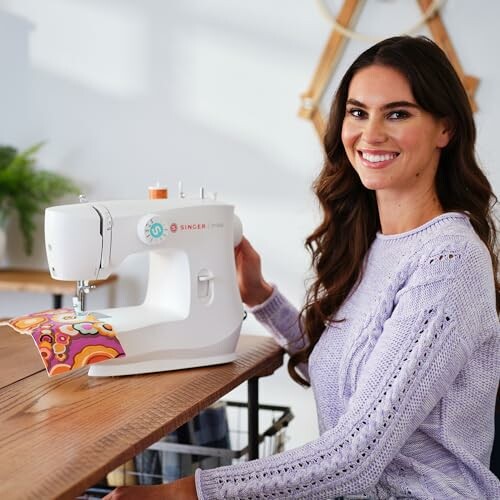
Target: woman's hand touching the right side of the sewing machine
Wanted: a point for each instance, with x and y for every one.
(253, 288)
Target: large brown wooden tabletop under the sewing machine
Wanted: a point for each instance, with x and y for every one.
(59, 436)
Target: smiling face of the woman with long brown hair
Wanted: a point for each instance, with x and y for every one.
(392, 143)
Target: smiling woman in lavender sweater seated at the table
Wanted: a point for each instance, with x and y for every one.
(399, 337)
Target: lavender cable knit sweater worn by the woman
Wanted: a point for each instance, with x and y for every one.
(405, 386)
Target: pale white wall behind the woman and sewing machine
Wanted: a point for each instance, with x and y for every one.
(130, 92)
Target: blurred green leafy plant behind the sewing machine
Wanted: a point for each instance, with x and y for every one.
(26, 190)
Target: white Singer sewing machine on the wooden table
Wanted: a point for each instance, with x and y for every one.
(192, 312)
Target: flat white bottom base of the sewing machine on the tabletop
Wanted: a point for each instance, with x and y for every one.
(156, 365)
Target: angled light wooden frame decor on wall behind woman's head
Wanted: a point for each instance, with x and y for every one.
(341, 31)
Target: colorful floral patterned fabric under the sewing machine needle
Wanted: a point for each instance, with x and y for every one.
(67, 342)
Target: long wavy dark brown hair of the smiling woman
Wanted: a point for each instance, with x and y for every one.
(338, 246)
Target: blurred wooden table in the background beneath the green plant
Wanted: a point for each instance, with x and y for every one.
(38, 281)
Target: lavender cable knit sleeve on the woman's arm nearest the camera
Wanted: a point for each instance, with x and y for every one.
(445, 309)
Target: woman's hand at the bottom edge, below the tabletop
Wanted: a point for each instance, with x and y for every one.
(183, 489)
